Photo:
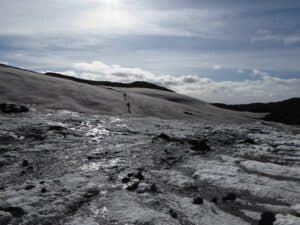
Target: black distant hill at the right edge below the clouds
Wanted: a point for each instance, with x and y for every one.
(287, 111)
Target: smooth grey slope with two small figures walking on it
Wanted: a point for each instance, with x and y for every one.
(54, 91)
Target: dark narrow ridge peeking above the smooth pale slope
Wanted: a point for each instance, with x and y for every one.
(136, 84)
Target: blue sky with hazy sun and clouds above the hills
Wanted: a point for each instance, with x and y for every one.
(230, 51)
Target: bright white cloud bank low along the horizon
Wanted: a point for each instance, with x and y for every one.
(265, 88)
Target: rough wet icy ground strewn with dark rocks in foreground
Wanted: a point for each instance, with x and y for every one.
(61, 167)
